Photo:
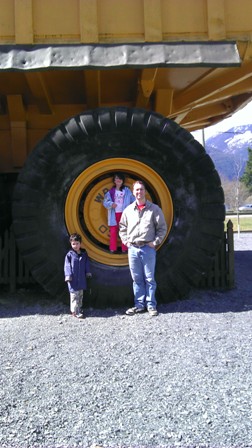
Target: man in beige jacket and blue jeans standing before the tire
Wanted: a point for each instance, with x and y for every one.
(142, 229)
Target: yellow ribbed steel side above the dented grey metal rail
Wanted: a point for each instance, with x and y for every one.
(85, 21)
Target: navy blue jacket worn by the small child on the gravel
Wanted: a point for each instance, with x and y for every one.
(76, 266)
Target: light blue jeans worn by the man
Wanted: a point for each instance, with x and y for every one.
(142, 262)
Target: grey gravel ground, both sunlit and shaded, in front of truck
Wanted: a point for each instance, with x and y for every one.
(182, 379)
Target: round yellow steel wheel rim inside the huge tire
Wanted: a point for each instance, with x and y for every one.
(95, 215)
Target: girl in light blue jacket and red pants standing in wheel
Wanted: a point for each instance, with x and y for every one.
(116, 200)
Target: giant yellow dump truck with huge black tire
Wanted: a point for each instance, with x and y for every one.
(89, 87)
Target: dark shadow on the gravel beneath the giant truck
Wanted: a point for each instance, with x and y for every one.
(34, 300)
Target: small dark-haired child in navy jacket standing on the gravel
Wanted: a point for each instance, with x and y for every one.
(76, 269)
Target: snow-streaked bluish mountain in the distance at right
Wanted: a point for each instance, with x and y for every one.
(229, 150)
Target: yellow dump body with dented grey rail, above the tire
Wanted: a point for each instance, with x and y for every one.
(129, 53)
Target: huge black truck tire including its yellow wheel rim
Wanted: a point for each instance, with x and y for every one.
(61, 187)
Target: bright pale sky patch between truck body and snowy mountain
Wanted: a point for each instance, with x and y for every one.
(242, 117)
